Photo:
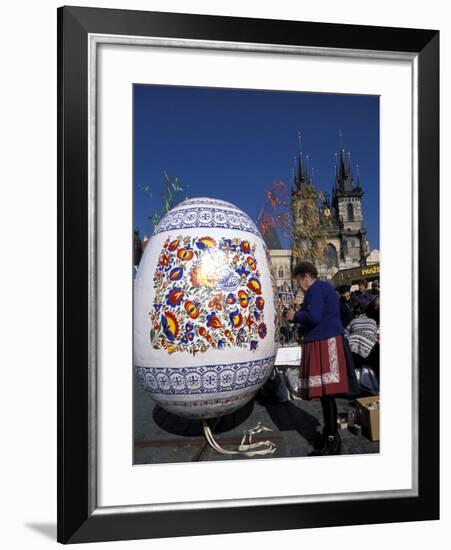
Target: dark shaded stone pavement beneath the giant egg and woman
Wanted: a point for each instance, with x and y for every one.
(161, 437)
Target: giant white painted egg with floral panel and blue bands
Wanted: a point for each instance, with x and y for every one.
(204, 310)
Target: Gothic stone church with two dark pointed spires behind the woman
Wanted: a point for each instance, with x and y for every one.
(345, 233)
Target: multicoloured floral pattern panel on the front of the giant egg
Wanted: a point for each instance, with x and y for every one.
(208, 295)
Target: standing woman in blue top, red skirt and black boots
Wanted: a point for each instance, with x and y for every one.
(323, 368)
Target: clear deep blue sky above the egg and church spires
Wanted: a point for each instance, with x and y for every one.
(233, 144)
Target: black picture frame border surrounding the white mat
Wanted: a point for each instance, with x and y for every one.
(79, 519)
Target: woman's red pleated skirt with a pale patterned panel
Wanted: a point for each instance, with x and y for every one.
(323, 368)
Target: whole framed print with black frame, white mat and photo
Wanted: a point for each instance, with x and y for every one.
(248, 274)
